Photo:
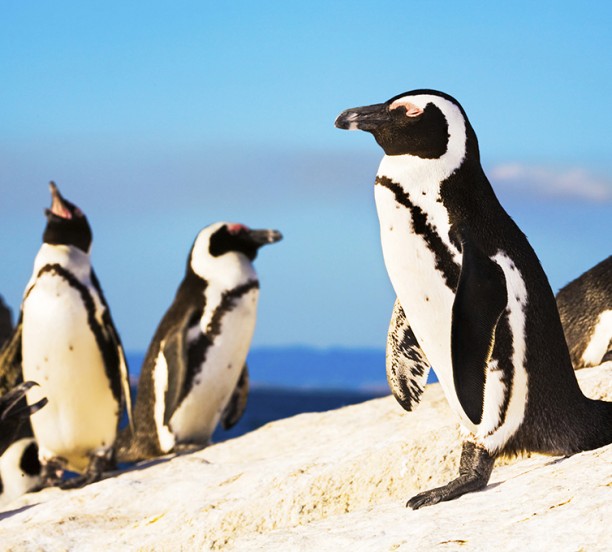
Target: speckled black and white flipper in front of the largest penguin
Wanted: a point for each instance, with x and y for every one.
(407, 365)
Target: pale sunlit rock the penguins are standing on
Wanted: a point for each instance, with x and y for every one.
(332, 481)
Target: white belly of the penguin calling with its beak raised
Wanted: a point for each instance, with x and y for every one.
(61, 354)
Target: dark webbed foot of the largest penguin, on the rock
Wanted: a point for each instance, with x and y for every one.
(475, 470)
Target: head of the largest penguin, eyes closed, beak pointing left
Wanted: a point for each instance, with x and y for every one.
(420, 123)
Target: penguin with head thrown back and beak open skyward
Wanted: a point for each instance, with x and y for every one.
(69, 344)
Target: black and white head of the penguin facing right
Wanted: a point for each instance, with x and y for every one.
(225, 246)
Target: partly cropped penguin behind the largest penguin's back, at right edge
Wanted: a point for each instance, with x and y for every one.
(585, 307)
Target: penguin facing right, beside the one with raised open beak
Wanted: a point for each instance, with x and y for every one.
(194, 373)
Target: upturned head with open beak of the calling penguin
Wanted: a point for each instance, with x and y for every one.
(66, 223)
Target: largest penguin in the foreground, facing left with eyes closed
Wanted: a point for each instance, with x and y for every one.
(472, 298)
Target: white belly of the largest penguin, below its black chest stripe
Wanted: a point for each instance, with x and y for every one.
(421, 289)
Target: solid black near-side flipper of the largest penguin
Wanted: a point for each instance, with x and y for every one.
(480, 299)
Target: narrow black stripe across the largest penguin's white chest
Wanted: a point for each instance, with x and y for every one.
(421, 226)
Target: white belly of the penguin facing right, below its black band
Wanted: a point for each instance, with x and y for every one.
(198, 415)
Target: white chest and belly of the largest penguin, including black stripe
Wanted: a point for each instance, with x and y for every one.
(421, 262)
